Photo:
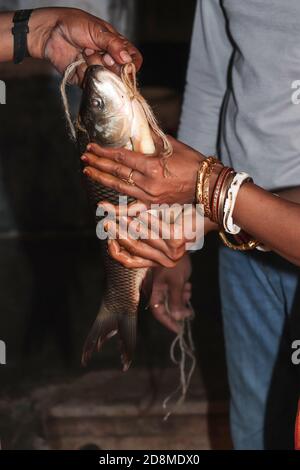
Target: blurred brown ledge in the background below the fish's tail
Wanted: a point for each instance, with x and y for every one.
(124, 411)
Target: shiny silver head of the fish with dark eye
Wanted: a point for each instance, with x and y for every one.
(106, 109)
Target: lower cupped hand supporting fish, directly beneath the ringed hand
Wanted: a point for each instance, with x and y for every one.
(139, 238)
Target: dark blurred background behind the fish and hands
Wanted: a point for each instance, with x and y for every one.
(51, 275)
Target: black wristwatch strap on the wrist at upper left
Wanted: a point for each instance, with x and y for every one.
(20, 31)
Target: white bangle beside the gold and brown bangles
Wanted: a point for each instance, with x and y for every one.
(235, 186)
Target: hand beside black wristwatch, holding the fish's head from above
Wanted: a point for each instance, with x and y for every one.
(63, 35)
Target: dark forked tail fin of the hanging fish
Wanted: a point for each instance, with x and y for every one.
(107, 324)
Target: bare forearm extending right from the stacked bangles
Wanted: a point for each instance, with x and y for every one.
(270, 219)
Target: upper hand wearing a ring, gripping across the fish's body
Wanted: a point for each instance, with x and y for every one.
(142, 176)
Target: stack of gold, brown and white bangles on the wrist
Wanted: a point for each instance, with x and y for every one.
(218, 202)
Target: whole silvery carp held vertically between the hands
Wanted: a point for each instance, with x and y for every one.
(113, 114)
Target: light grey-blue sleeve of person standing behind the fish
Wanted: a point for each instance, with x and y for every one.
(206, 81)
